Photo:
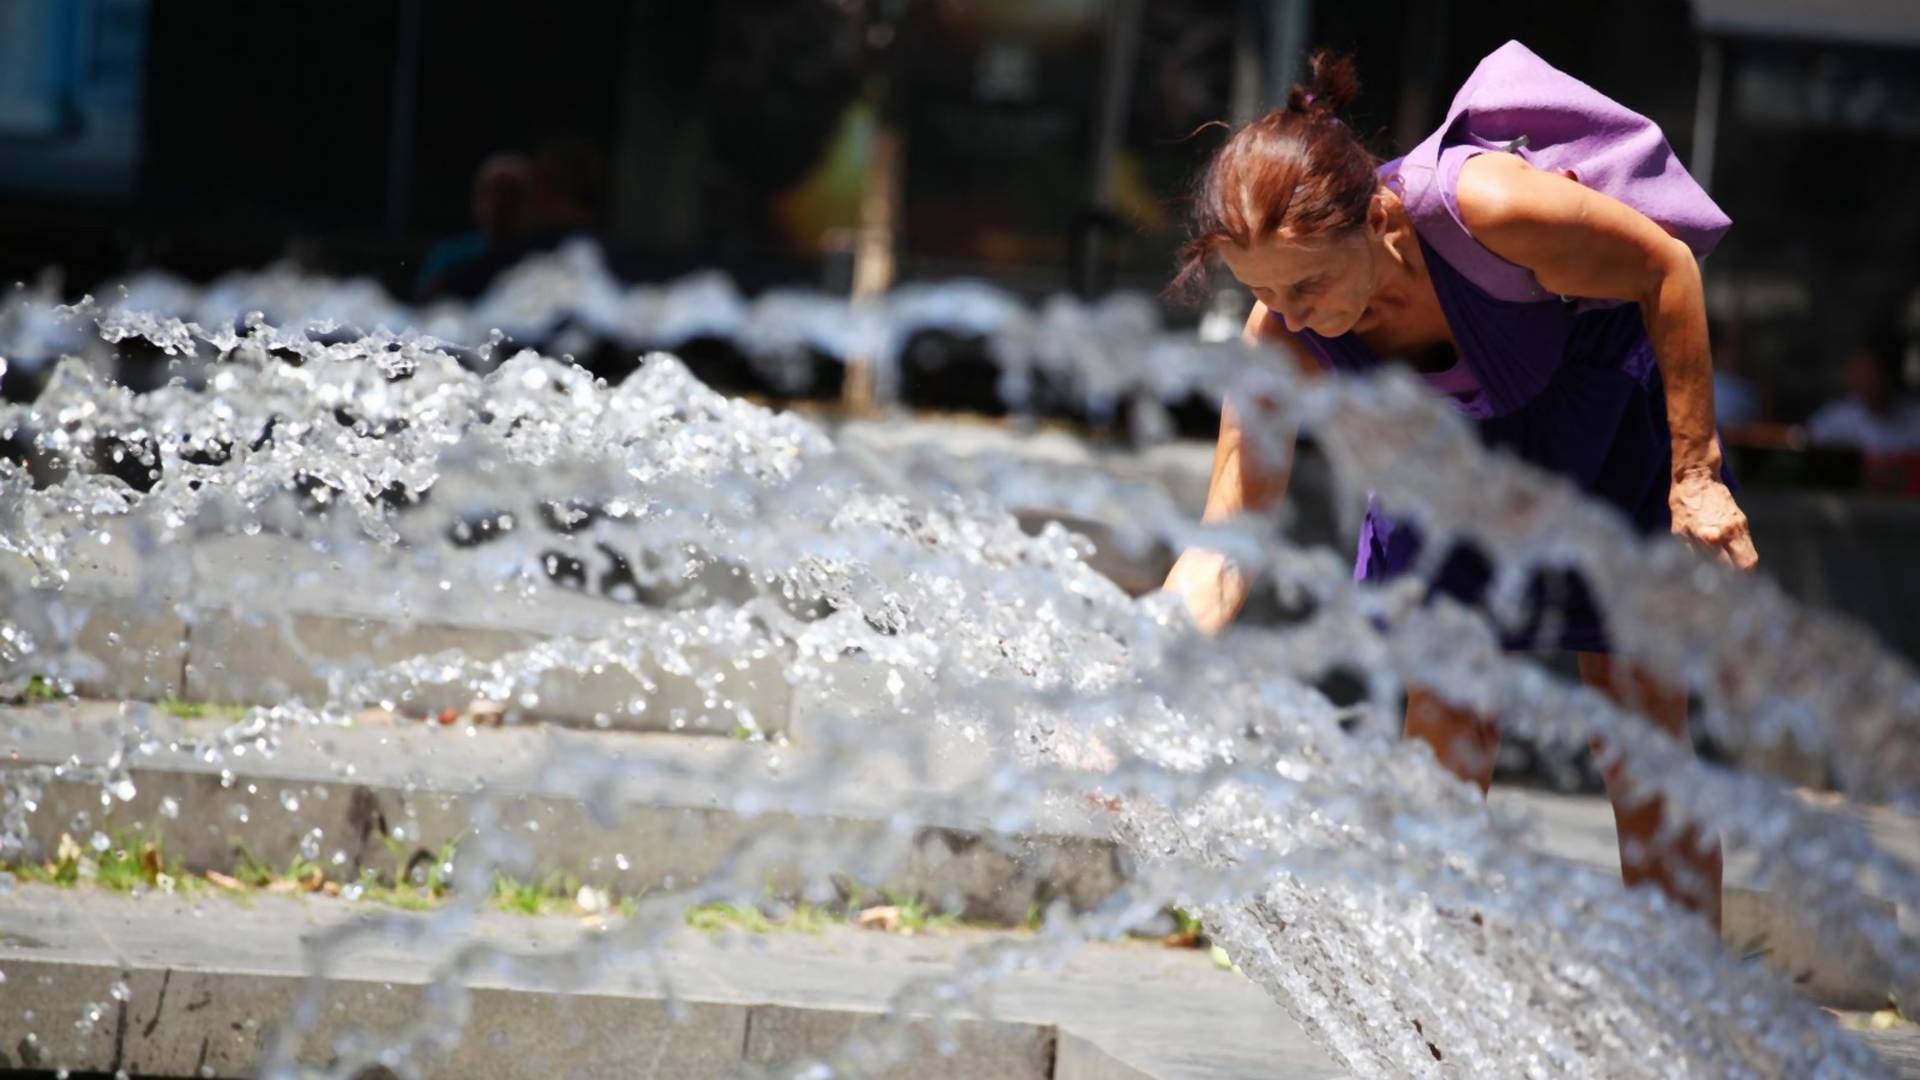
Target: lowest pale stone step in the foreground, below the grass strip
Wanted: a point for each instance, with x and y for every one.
(199, 987)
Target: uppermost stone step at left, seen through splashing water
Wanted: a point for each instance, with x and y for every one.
(193, 627)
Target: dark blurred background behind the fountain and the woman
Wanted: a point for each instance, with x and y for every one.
(1040, 145)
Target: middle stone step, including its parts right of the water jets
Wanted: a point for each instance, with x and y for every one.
(416, 785)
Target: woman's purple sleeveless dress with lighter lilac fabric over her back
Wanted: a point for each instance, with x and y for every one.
(1564, 383)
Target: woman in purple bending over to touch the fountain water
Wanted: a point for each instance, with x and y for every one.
(1566, 322)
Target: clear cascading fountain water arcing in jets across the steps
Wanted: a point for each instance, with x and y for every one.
(1372, 895)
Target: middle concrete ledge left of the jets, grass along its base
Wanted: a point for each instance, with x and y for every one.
(343, 795)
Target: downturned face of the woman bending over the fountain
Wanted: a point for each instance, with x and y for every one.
(1318, 283)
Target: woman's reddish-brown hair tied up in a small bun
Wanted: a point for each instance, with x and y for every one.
(1297, 168)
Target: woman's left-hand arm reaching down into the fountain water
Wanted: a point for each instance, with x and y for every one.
(1212, 587)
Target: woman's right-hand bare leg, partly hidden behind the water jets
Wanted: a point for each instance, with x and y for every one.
(1687, 868)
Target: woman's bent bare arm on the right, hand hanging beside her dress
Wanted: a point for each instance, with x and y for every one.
(1581, 243)
